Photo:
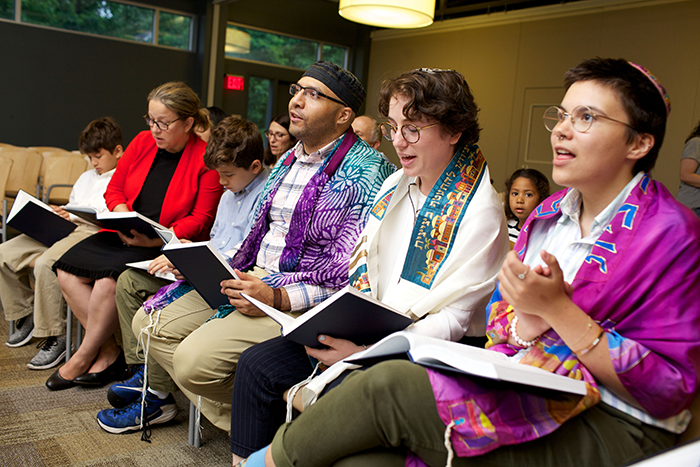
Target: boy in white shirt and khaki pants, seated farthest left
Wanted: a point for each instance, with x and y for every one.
(40, 311)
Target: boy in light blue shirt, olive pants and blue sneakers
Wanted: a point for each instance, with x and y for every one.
(235, 150)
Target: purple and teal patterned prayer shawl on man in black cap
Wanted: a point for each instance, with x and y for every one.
(325, 225)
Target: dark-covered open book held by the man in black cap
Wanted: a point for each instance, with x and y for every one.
(203, 267)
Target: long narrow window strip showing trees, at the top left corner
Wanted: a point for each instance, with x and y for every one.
(107, 18)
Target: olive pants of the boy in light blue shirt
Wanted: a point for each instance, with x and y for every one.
(133, 288)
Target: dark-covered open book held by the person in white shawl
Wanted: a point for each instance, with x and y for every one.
(348, 314)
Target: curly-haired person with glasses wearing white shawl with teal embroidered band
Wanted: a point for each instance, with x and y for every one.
(431, 249)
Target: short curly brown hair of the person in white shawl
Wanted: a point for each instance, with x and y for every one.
(443, 95)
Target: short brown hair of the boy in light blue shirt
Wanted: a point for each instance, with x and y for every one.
(234, 141)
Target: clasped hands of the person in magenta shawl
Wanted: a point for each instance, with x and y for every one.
(537, 296)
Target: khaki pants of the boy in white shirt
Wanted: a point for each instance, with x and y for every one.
(17, 297)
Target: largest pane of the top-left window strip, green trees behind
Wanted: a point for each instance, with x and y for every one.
(94, 16)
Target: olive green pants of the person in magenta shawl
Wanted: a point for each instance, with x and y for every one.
(374, 417)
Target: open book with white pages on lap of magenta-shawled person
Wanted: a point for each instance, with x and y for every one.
(452, 356)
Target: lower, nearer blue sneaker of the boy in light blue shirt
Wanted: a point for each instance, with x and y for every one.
(129, 418)
